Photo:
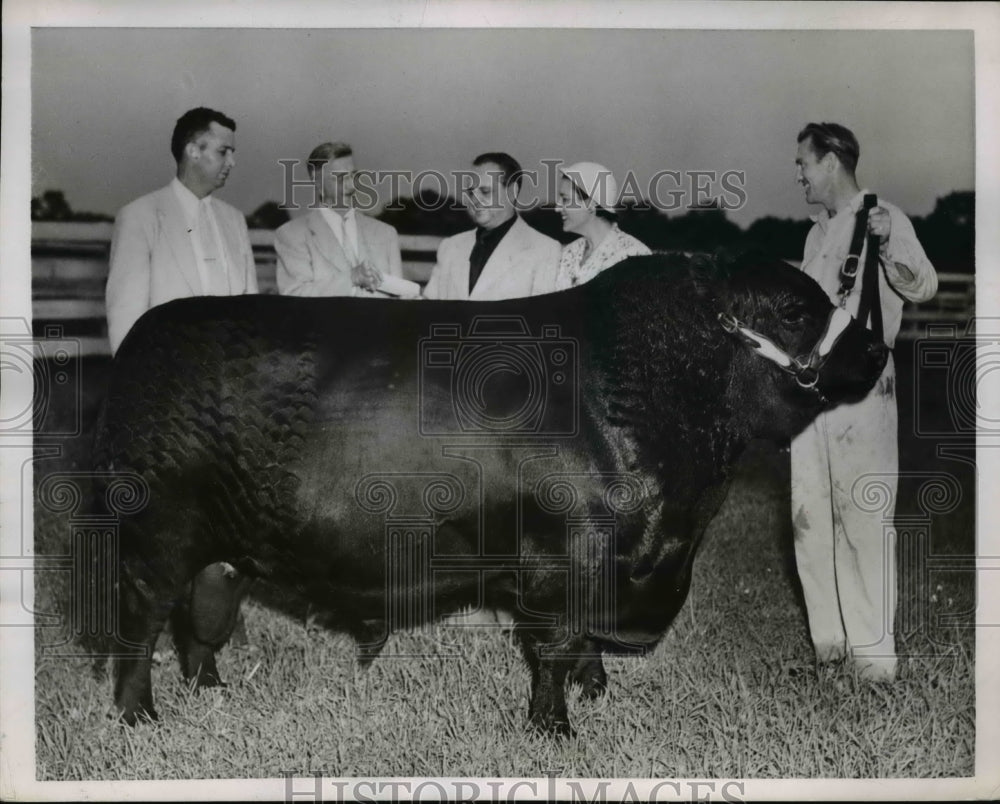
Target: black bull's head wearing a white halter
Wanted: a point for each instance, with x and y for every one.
(816, 354)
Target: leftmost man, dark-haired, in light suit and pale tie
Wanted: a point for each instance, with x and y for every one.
(179, 241)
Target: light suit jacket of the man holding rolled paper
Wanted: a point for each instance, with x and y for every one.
(311, 261)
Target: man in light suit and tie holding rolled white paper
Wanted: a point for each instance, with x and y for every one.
(335, 250)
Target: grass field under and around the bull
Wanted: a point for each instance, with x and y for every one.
(730, 691)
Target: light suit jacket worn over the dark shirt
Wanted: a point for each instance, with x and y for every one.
(524, 263)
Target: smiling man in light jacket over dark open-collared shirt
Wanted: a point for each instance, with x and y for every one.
(503, 257)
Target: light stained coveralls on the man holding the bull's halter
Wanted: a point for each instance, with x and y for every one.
(845, 464)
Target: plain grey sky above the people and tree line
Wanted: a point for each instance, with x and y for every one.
(104, 102)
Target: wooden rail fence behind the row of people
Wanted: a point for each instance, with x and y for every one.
(69, 268)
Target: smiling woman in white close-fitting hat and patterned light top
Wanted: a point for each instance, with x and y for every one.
(586, 201)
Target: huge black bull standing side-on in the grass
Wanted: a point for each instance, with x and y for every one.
(558, 457)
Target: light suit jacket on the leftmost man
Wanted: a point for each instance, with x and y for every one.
(153, 261)
